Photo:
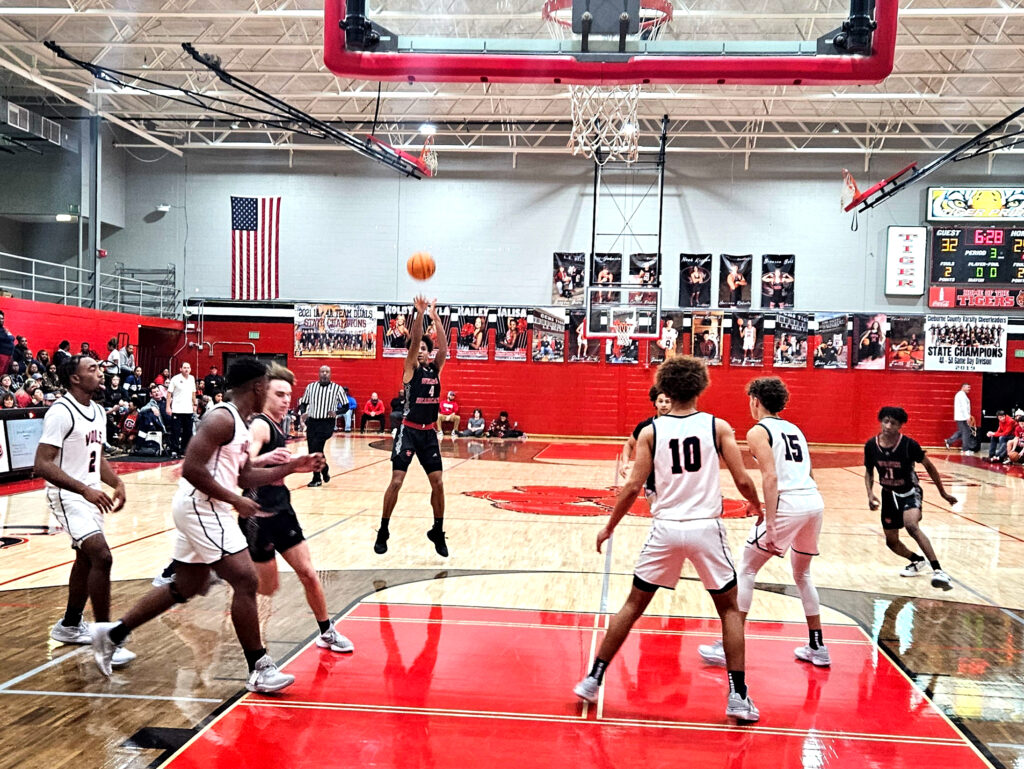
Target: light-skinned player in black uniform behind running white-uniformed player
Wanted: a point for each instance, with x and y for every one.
(280, 532)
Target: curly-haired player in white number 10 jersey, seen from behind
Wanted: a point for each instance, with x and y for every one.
(682, 449)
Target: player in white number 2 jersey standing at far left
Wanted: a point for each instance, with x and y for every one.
(70, 457)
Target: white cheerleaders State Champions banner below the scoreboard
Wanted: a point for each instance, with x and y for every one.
(975, 344)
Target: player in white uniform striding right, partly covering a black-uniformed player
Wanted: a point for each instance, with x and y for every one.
(217, 463)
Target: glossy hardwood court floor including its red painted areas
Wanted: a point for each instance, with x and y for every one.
(922, 675)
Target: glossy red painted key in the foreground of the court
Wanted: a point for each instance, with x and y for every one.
(432, 687)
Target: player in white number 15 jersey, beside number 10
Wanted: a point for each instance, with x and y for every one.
(792, 520)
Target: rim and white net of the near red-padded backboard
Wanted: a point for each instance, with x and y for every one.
(605, 118)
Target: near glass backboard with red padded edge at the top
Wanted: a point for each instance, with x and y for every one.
(783, 42)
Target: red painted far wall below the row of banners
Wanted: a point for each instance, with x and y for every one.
(833, 407)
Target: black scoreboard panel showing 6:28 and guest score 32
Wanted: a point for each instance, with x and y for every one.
(978, 257)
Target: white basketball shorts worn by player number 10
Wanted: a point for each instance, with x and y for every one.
(703, 543)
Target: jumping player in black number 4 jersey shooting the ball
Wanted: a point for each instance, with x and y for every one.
(417, 435)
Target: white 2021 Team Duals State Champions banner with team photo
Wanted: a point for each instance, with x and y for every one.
(336, 331)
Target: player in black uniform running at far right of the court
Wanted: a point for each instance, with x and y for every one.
(894, 455)
